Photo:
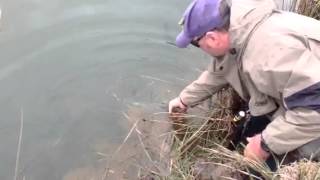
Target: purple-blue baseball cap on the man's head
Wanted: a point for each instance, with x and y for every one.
(200, 17)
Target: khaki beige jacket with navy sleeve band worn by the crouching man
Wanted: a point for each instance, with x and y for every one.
(275, 62)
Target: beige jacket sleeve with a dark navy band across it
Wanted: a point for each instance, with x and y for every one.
(299, 123)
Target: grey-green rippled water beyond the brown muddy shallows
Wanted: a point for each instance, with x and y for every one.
(74, 67)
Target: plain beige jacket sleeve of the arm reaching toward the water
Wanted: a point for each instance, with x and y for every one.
(208, 83)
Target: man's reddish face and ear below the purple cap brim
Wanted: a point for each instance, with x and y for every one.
(216, 42)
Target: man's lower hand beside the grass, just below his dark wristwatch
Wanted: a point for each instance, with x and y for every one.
(254, 151)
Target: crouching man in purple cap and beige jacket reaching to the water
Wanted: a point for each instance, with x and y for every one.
(271, 58)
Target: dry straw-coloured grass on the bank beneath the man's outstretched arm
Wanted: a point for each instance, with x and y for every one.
(199, 150)
